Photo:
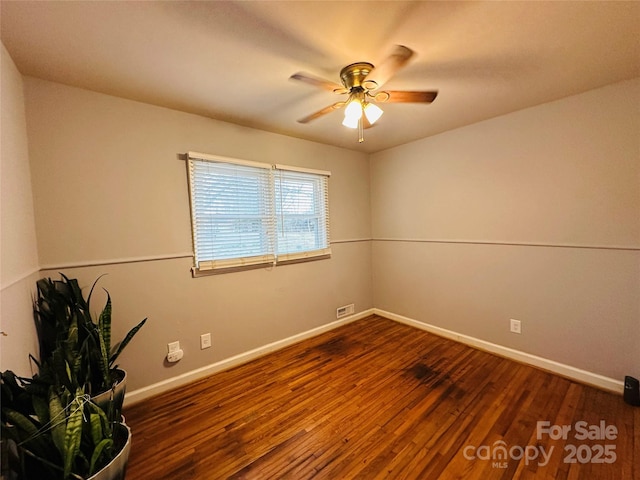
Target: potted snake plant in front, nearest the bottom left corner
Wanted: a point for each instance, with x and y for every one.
(55, 434)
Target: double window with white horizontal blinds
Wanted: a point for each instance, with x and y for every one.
(248, 214)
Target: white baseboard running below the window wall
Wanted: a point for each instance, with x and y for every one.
(141, 394)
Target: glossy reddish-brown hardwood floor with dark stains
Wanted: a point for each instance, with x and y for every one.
(376, 399)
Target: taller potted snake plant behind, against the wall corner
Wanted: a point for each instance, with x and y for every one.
(76, 350)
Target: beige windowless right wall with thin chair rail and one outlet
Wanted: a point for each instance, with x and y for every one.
(533, 216)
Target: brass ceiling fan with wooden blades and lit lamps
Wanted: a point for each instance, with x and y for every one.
(362, 82)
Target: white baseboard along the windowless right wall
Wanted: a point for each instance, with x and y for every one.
(552, 366)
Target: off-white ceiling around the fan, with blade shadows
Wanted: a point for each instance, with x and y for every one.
(232, 60)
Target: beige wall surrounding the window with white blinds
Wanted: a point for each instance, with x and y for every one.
(109, 188)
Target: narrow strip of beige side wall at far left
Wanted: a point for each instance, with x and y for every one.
(19, 256)
